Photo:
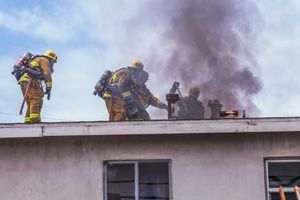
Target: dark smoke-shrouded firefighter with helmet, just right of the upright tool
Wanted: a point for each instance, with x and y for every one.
(190, 107)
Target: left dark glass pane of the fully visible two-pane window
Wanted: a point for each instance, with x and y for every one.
(120, 181)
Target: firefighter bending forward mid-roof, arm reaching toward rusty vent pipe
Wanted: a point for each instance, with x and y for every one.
(128, 95)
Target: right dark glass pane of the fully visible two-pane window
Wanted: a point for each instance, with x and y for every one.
(153, 180)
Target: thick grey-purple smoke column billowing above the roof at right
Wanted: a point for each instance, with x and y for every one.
(212, 44)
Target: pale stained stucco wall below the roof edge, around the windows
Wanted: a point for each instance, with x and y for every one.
(208, 166)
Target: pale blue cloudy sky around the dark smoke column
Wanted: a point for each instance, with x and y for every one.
(92, 36)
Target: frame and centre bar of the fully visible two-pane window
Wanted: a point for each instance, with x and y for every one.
(136, 174)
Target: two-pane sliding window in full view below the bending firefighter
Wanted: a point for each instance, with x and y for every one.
(137, 180)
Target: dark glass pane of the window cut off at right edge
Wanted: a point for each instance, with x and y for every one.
(286, 174)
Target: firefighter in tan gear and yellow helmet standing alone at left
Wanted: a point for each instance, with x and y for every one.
(34, 98)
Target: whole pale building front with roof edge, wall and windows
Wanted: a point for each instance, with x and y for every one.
(229, 159)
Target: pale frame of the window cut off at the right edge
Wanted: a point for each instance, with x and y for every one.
(268, 160)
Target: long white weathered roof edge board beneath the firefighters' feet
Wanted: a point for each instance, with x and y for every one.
(153, 127)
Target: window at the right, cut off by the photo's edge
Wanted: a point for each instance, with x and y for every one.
(285, 173)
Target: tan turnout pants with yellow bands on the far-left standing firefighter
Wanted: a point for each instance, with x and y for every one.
(34, 101)
